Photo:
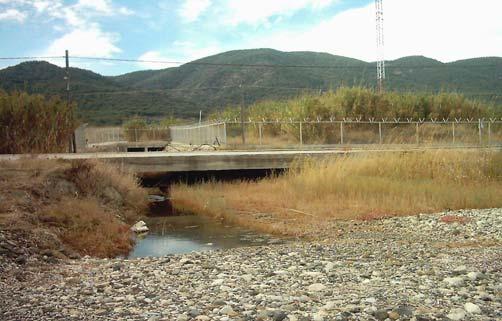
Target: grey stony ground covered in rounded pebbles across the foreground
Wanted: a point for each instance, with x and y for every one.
(446, 266)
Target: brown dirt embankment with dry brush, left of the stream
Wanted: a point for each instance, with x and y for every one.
(52, 209)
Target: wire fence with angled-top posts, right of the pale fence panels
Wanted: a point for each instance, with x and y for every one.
(297, 133)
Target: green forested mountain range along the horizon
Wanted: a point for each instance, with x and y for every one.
(245, 76)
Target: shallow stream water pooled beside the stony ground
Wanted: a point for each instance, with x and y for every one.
(183, 234)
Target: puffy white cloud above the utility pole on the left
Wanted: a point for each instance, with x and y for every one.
(91, 41)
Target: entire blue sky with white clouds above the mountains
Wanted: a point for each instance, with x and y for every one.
(185, 30)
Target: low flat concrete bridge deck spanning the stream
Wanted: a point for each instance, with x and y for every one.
(165, 162)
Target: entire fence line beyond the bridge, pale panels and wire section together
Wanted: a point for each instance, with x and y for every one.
(294, 134)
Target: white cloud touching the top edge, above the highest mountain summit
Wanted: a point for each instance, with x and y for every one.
(260, 11)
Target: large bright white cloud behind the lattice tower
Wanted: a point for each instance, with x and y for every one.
(447, 30)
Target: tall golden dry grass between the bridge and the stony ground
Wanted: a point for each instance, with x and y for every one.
(367, 186)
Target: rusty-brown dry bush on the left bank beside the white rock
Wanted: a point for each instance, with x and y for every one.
(87, 228)
